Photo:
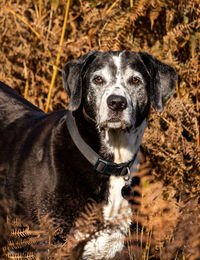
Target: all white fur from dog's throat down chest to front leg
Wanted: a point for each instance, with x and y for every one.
(117, 211)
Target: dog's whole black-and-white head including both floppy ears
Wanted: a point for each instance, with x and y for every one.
(116, 88)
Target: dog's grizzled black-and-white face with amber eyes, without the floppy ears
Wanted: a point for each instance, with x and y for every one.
(116, 90)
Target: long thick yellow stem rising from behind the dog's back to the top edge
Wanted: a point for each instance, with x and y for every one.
(58, 57)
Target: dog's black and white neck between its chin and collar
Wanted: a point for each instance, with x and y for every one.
(117, 146)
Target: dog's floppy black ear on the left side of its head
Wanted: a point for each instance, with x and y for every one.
(72, 78)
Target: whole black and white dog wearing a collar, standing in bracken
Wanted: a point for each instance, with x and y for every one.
(54, 163)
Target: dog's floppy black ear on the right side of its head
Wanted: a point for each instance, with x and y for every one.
(163, 80)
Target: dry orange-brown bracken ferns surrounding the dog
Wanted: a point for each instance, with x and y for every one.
(33, 48)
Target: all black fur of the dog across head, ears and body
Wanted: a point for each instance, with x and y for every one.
(45, 172)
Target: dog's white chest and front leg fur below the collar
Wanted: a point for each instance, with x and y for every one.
(117, 218)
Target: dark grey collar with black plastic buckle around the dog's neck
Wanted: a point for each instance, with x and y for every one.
(100, 165)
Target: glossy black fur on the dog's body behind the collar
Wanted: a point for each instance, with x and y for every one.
(45, 172)
